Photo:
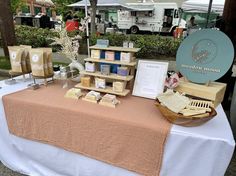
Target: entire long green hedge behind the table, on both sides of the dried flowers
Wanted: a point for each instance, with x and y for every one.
(152, 46)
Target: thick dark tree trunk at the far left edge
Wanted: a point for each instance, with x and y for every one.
(7, 25)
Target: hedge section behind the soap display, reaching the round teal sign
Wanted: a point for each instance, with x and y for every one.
(152, 46)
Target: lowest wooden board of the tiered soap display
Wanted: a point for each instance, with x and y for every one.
(107, 90)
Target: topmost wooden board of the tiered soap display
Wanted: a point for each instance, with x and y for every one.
(115, 48)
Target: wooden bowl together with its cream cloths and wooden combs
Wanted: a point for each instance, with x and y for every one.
(182, 110)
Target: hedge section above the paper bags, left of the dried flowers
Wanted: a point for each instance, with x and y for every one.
(36, 37)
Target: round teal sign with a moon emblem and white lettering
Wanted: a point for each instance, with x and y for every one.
(205, 55)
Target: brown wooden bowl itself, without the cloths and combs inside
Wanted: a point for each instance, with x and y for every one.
(187, 121)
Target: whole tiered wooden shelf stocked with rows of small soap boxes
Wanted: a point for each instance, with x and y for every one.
(109, 70)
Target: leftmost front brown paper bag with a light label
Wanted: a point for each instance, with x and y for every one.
(16, 59)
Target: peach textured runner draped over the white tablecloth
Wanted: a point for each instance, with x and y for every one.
(131, 136)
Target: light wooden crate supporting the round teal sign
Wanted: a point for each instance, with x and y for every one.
(214, 91)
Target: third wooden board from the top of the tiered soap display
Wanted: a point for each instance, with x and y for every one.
(111, 76)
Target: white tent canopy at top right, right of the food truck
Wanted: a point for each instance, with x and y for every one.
(202, 6)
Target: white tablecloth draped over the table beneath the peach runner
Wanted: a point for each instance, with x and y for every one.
(197, 151)
